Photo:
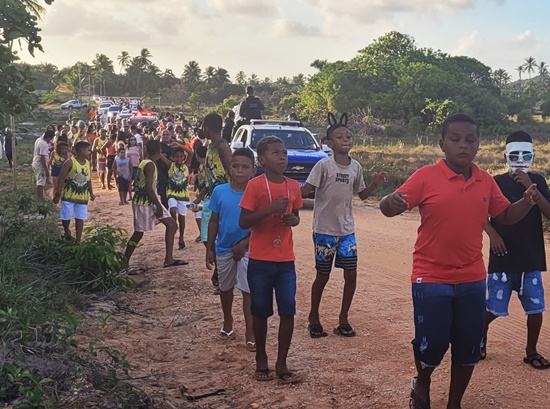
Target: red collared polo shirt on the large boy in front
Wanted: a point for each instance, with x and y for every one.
(453, 214)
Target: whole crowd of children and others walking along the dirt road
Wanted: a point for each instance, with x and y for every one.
(246, 226)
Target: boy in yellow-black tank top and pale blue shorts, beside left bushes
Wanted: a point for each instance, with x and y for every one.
(74, 188)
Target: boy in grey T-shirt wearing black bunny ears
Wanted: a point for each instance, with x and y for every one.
(335, 180)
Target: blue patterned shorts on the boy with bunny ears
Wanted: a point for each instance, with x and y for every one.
(327, 247)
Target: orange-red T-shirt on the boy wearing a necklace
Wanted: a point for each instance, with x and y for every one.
(262, 235)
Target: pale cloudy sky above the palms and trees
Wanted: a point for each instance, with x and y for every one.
(275, 38)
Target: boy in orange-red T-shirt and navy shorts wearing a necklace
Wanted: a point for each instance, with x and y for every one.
(269, 207)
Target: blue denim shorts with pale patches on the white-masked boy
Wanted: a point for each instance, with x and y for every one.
(527, 285)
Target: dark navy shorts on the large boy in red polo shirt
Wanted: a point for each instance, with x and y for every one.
(448, 314)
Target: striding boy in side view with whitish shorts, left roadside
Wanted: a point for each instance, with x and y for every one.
(148, 210)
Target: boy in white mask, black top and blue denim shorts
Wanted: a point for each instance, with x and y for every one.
(517, 254)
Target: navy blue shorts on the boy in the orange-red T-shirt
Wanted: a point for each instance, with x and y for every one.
(266, 276)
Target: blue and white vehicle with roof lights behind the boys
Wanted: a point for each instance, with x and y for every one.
(303, 149)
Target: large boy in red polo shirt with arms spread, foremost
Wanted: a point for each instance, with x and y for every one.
(454, 198)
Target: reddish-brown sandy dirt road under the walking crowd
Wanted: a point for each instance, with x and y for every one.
(169, 329)
